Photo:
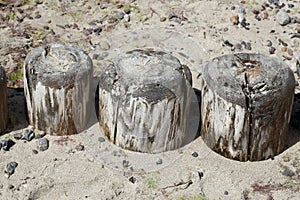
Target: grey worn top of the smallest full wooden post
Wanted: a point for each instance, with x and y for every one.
(46, 64)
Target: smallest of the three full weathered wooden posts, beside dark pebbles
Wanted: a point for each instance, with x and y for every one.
(57, 80)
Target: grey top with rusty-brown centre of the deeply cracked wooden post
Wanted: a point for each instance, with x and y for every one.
(229, 75)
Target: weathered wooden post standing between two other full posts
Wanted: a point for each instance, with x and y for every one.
(144, 101)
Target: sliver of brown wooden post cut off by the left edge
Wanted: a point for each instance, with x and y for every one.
(3, 101)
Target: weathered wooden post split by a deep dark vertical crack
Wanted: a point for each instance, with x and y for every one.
(246, 105)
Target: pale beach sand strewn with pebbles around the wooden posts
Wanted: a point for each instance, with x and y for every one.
(195, 32)
